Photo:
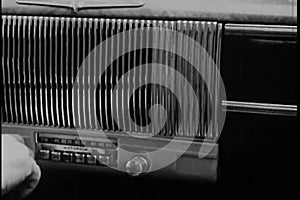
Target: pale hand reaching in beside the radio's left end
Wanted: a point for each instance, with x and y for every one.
(20, 173)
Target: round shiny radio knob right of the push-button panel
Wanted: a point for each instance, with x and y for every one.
(137, 165)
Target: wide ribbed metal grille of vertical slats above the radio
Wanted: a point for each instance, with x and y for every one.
(42, 56)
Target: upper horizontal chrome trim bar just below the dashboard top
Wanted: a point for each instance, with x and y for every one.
(259, 29)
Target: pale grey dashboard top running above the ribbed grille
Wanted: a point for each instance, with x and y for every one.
(250, 11)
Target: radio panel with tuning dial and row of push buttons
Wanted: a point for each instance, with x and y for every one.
(75, 149)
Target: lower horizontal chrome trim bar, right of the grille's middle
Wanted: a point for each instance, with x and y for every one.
(260, 108)
